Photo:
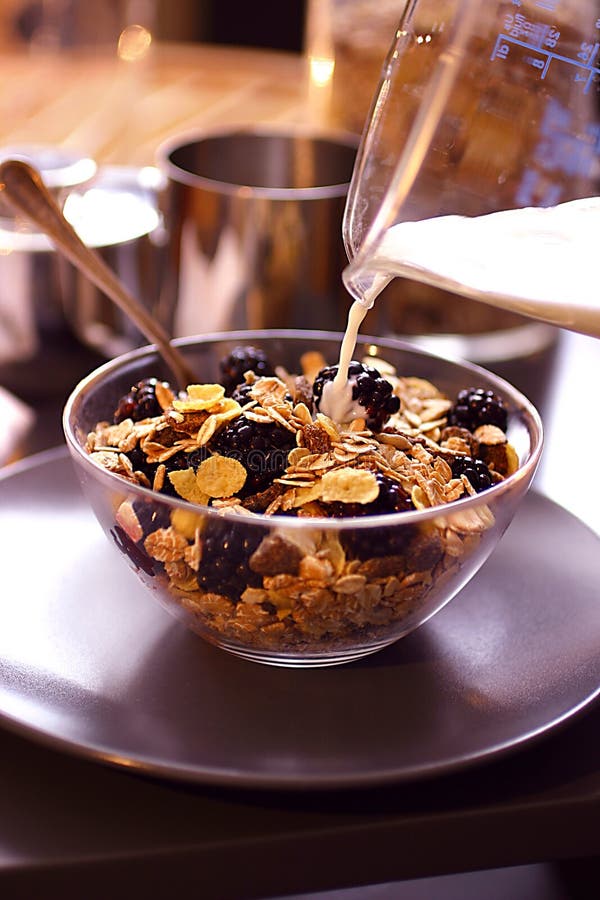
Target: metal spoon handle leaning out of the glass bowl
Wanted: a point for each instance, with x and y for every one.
(22, 187)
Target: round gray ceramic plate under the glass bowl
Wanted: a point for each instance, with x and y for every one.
(89, 664)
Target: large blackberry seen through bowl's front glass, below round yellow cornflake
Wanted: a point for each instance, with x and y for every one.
(226, 549)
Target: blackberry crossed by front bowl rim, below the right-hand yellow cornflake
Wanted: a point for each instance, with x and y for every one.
(363, 544)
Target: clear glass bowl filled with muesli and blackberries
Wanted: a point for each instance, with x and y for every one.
(274, 531)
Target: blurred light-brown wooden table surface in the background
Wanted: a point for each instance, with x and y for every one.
(119, 112)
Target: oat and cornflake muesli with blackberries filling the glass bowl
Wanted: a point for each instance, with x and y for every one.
(266, 448)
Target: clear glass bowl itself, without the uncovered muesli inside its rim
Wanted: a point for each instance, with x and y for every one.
(336, 589)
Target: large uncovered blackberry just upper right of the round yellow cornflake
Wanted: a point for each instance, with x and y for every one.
(261, 449)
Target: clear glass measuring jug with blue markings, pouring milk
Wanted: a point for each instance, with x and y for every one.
(479, 168)
